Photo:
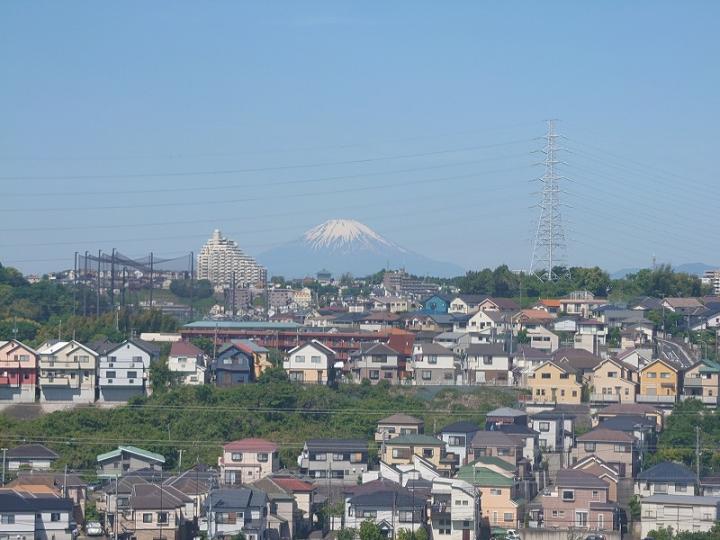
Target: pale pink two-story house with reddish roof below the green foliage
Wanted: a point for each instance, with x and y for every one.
(247, 460)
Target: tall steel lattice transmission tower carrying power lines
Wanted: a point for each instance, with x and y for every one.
(549, 245)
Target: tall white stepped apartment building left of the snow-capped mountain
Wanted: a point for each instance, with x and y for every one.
(220, 257)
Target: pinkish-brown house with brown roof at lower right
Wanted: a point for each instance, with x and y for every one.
(579, 500)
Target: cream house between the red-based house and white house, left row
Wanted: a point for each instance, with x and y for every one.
(66, 372)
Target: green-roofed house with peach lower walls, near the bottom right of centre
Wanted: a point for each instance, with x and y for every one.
(498, 489)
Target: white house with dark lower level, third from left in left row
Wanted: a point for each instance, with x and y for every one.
(124, 370)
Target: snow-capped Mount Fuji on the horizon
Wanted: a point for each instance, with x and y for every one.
(346, 245)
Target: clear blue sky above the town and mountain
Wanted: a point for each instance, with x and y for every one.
(418, 118)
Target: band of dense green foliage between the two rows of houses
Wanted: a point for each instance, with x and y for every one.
(199, 419)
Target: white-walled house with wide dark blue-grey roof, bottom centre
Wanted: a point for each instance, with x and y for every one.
(387, 504)
